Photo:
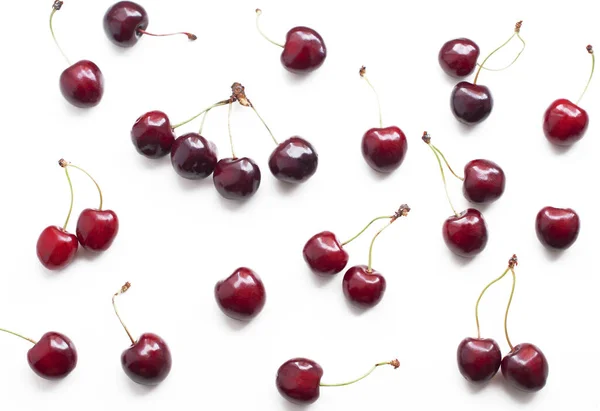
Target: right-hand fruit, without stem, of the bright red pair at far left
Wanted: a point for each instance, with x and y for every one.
(97, 229)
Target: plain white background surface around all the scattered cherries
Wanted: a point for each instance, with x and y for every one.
(178, 238)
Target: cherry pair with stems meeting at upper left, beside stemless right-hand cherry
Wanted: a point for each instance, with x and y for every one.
(484, 181)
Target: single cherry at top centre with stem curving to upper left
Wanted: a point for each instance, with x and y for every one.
(304, 50)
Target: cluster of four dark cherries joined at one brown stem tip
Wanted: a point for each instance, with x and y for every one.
(193, 157)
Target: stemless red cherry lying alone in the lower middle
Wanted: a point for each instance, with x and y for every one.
(242, 295)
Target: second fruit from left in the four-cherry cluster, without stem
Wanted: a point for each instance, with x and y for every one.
(193, 157)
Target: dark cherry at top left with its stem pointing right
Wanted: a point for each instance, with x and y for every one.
(125, 22)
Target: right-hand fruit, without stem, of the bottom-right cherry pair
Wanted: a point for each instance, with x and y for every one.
(526, 368)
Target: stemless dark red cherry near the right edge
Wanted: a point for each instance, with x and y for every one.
(557, 228)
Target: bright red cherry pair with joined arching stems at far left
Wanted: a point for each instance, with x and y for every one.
(96, 231)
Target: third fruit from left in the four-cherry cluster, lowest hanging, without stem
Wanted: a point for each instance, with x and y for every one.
(236, 178)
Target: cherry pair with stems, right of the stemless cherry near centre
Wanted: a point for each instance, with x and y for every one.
(326, 256)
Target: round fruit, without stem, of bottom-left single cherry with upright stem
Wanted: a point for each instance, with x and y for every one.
(148, 361)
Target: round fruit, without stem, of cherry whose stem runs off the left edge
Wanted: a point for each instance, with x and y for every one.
(53, 357)
